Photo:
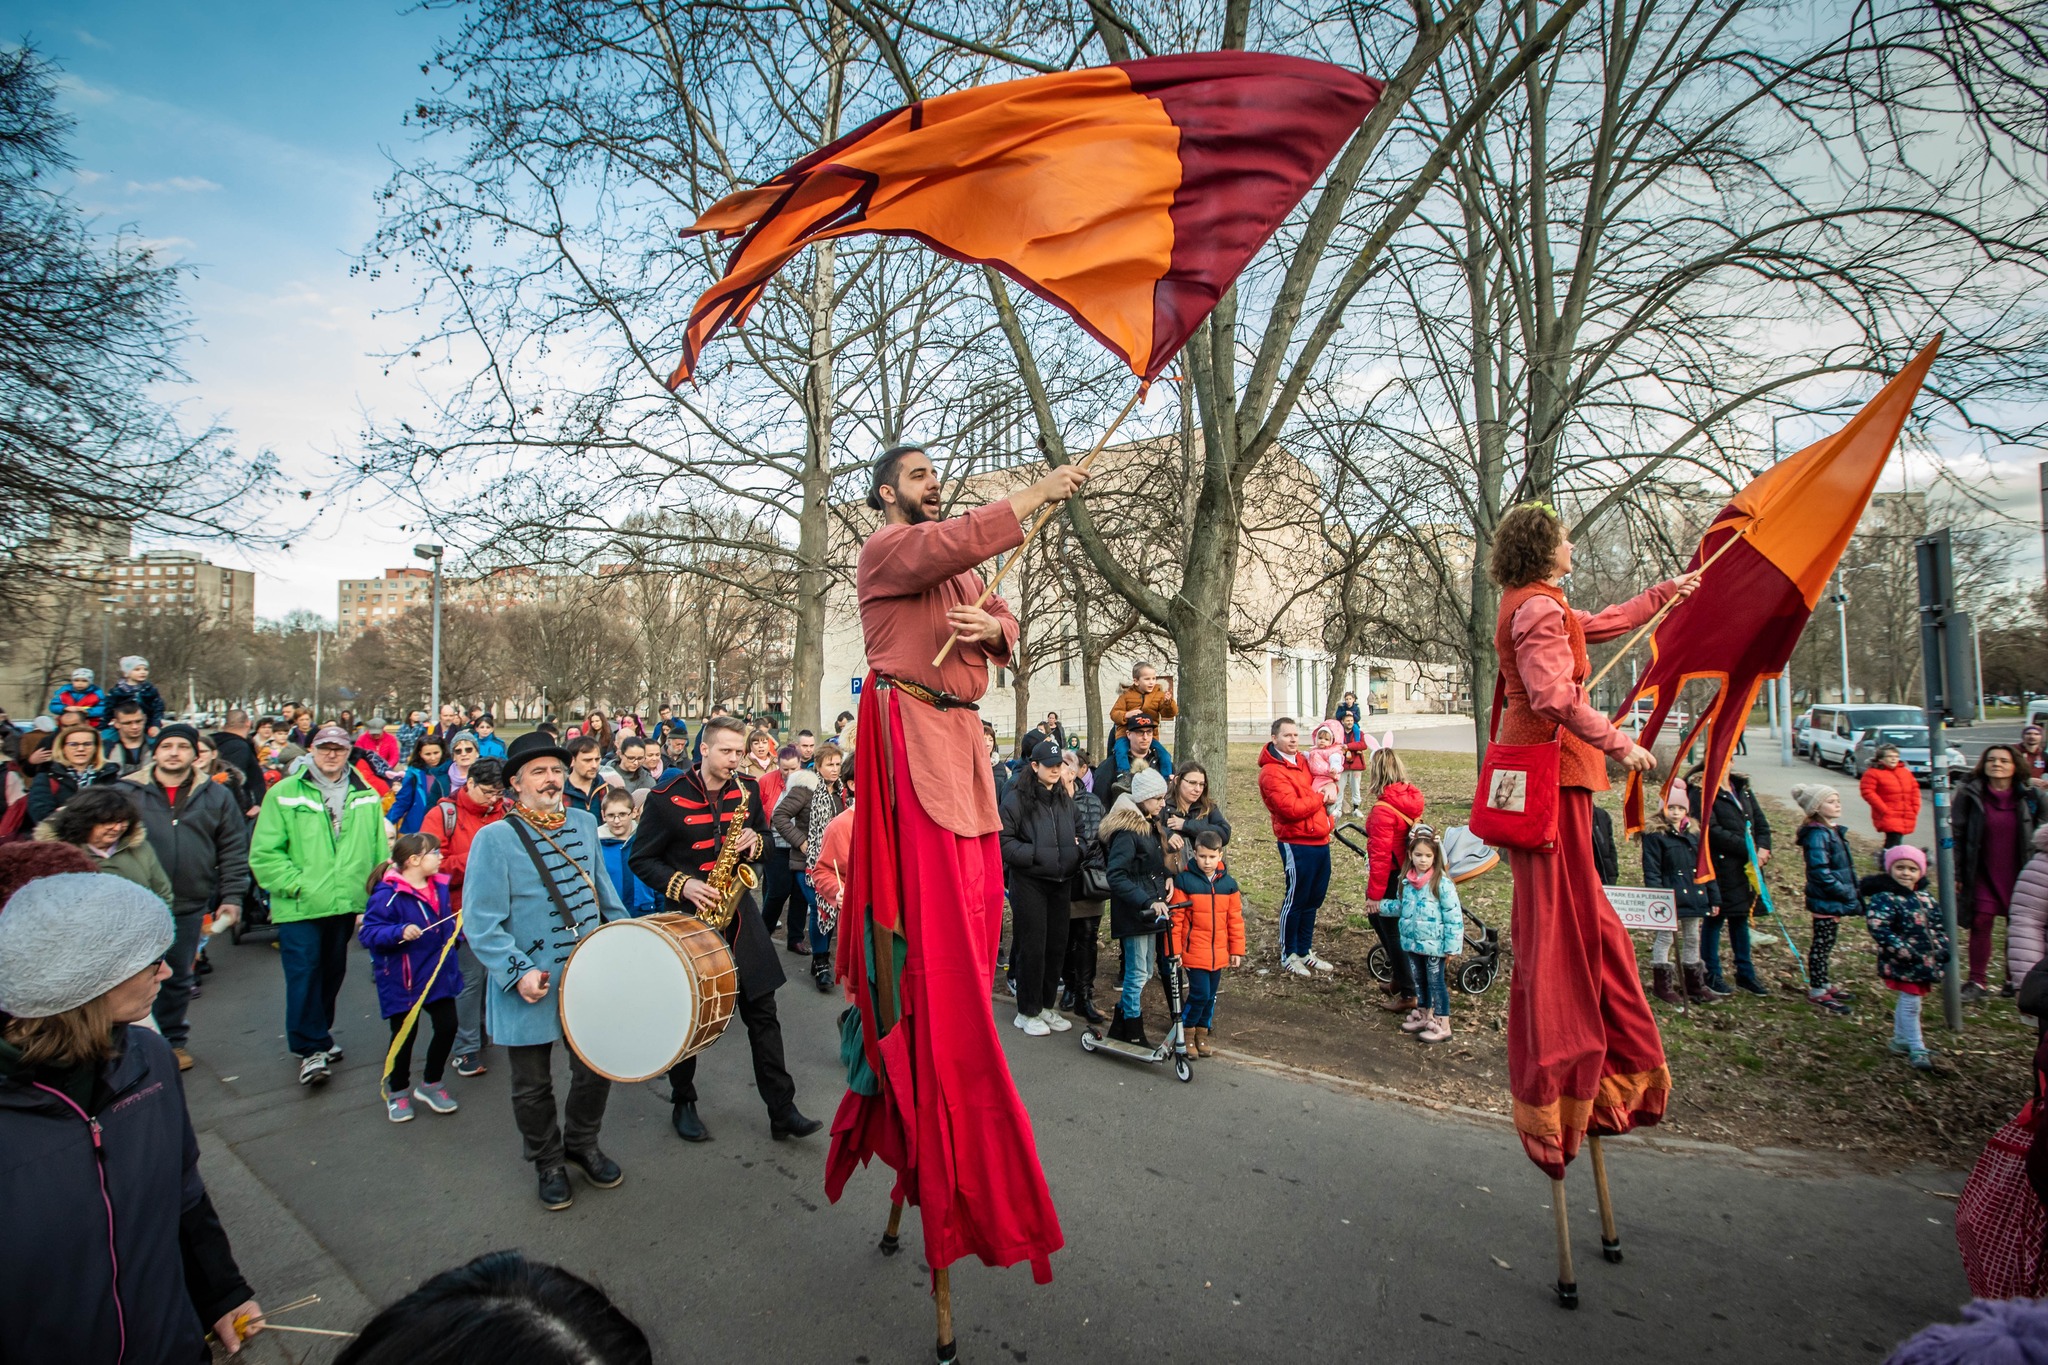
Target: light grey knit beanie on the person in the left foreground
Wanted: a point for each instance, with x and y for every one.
(73, 938)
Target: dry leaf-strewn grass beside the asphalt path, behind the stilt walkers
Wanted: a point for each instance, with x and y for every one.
(1748, 1071)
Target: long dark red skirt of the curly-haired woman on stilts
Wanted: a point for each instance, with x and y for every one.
(1584, 1053)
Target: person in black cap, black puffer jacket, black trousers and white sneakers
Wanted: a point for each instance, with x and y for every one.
(1041, 852)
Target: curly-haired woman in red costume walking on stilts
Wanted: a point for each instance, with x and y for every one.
(1584, 1055)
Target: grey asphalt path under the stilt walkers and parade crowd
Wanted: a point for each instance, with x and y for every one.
(1246, 1217)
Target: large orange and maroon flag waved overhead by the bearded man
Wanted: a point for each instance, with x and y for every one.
(1127, 195)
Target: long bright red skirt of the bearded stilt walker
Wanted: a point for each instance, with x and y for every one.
(949, 1118)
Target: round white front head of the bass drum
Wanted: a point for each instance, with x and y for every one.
(628, 1002)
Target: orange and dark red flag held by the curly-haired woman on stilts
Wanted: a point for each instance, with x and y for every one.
(1740, 627)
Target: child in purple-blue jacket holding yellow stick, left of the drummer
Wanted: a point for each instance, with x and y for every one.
(409, 928)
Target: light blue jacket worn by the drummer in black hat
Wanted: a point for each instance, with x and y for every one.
(513, 924)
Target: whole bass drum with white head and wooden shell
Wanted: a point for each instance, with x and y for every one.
(640, 996)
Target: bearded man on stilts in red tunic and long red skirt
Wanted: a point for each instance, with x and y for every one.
(931, 1092)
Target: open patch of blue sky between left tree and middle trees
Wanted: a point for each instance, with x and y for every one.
(249, 140)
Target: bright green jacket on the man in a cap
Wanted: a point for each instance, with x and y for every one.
(308, 869)
